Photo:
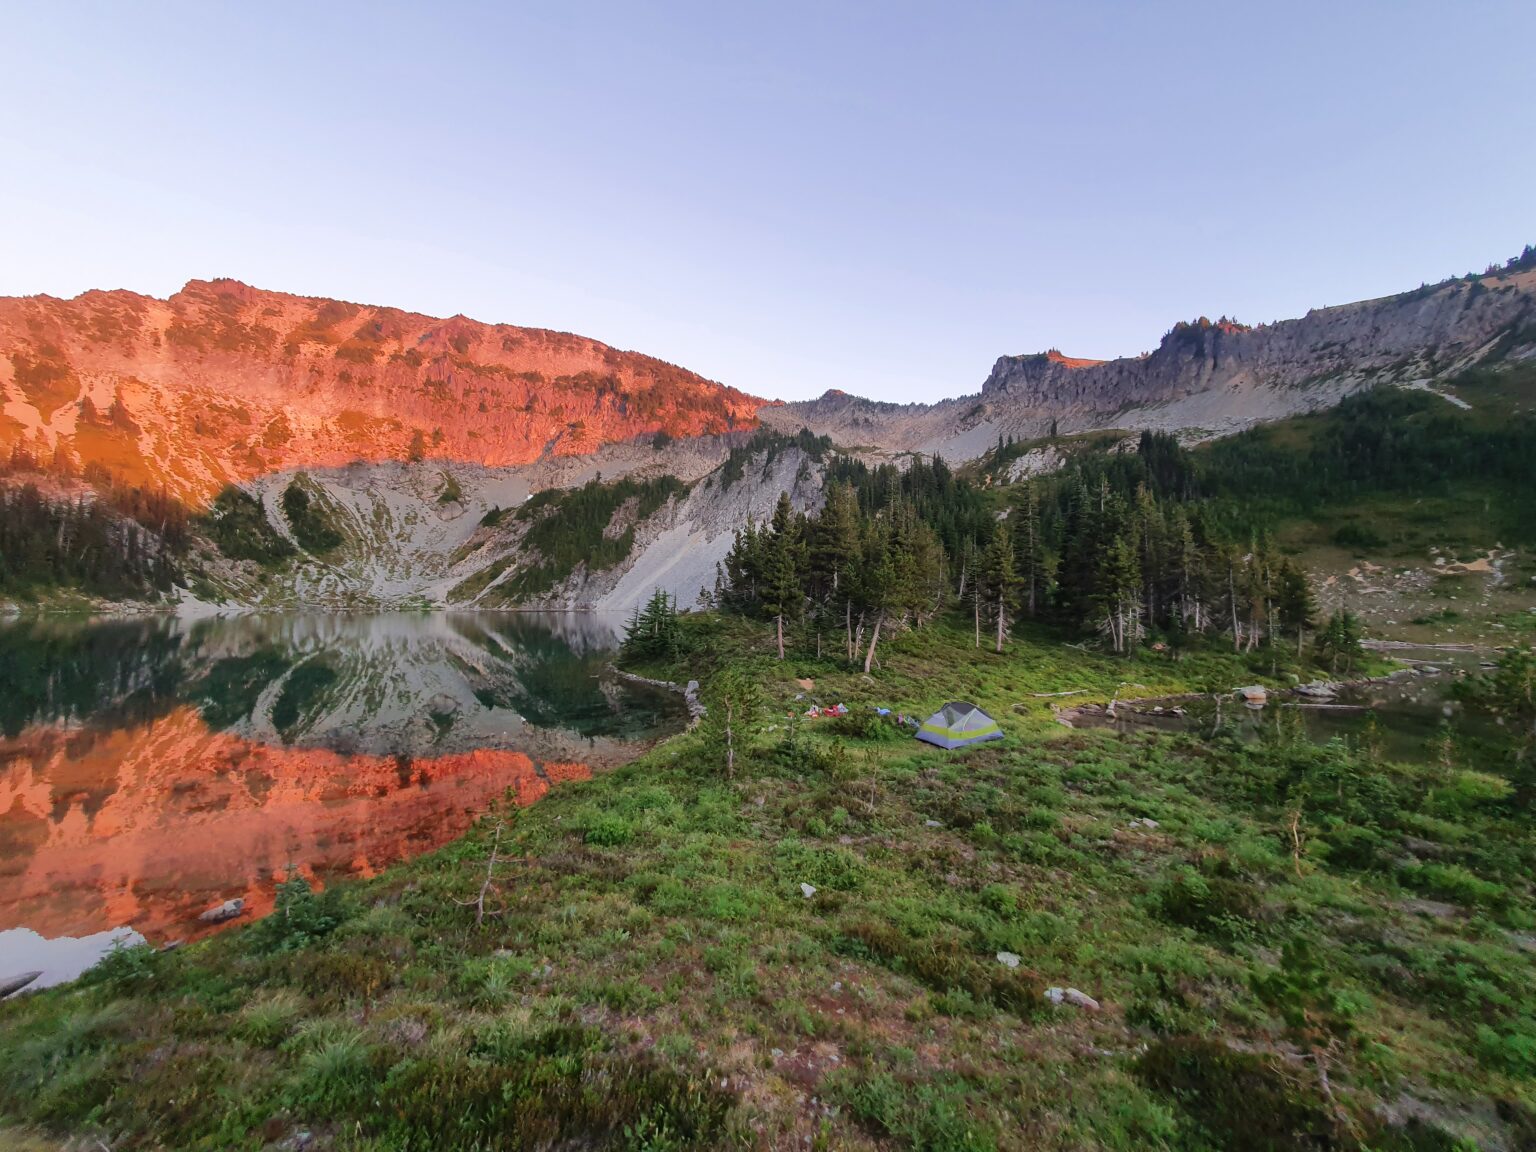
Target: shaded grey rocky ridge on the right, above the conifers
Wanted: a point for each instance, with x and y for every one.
(1208, 379)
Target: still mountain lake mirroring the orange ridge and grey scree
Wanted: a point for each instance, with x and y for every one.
(154, 769)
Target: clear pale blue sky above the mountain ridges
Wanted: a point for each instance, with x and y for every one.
(789, 197)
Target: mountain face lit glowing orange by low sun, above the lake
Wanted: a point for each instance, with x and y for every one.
(225, 383)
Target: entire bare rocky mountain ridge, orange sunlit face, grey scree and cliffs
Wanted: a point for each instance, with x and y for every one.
(417, 440)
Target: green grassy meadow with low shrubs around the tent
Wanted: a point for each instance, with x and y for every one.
(1291, 947)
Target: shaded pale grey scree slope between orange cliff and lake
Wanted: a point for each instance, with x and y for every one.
(403, 548)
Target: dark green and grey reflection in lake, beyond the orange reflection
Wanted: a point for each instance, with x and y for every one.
(386, 684)
